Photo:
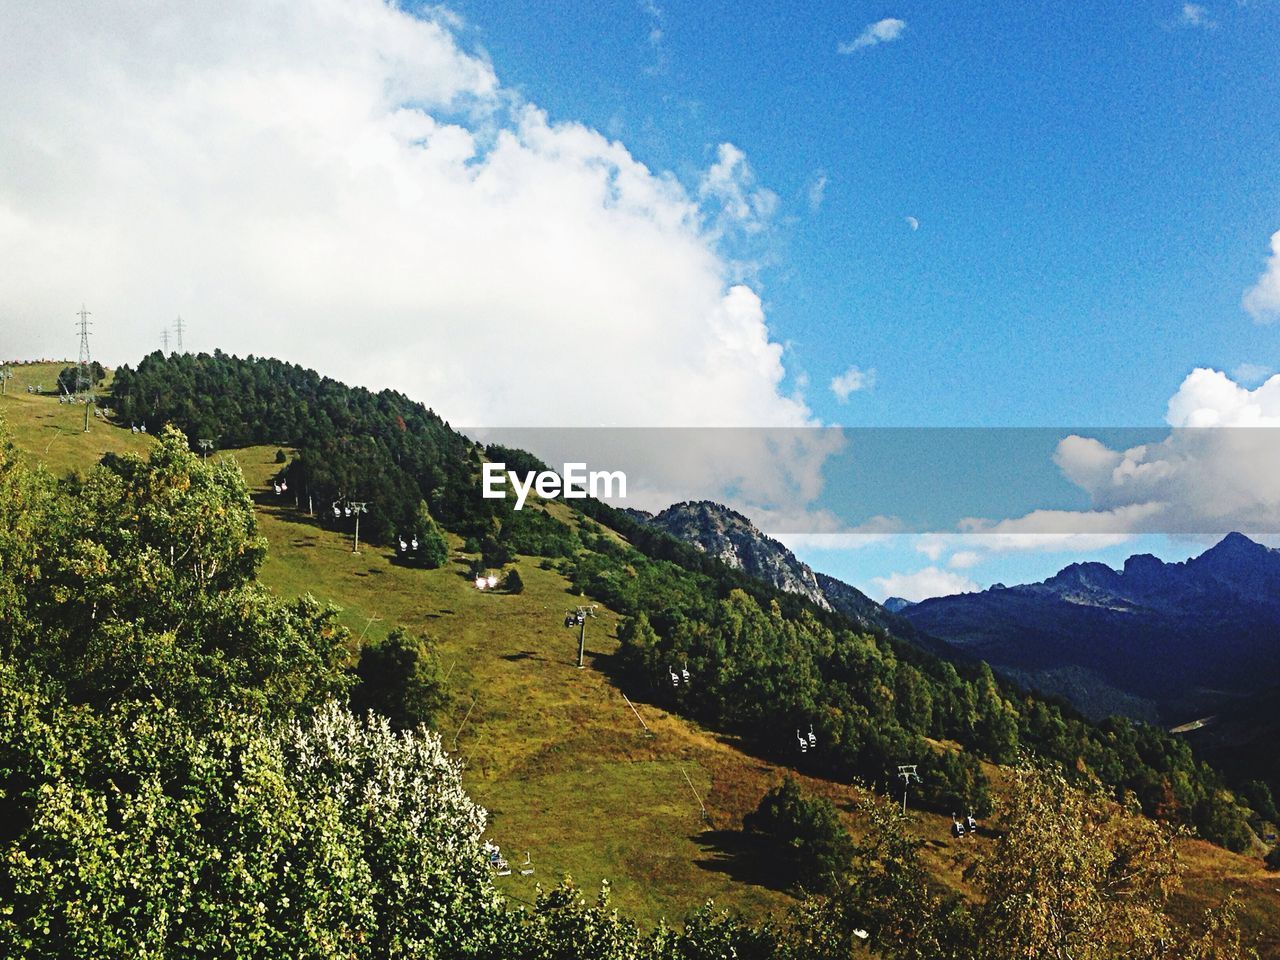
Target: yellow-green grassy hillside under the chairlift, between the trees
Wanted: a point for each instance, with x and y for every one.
(556, 753)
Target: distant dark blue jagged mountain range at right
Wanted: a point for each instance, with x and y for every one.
(1160, 642)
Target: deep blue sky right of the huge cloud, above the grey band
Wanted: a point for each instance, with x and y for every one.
(1095, 185)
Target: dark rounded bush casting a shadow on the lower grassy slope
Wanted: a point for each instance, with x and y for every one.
(807, 834)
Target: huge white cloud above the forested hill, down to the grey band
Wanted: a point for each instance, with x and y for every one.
(344, 185)
